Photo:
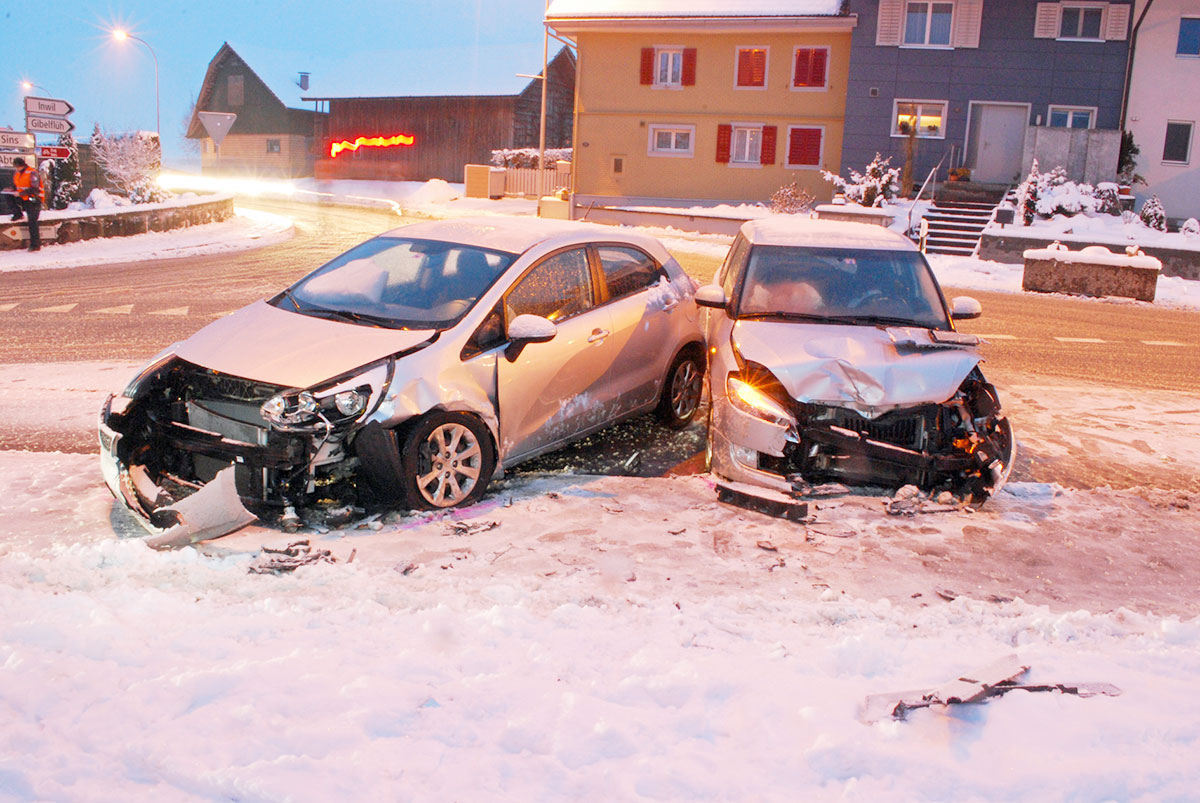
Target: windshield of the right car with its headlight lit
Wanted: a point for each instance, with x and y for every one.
(843, 285)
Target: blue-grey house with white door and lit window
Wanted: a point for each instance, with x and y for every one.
(989, 85)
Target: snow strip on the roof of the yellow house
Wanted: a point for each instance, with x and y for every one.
(641, 9)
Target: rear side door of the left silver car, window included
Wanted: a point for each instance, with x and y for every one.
(644, 309)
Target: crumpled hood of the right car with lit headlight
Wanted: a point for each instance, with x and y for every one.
(869, 369)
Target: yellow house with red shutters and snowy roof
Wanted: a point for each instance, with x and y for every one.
(686, 103)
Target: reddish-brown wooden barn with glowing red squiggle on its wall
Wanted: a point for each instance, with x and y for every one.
(433, 137)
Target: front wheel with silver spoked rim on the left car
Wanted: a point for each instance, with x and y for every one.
(448, 462)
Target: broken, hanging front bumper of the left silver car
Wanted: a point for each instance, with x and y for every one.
(214, 511)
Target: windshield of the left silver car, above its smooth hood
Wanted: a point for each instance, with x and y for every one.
(399, 283)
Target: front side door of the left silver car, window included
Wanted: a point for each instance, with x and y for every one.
(553, 392)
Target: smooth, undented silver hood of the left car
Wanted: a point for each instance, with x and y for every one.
(280, 347)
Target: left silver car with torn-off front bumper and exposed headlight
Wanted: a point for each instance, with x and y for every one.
(406, 373)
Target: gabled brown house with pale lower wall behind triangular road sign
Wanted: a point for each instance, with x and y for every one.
(268, 137)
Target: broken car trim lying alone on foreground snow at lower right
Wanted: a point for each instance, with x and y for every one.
(993, 681)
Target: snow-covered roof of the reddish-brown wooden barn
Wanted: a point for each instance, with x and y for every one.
(388, 73)
